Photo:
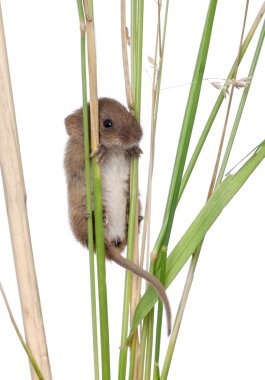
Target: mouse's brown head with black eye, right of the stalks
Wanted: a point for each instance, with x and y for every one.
(117, 126)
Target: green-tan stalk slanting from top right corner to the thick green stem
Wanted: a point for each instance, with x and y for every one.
(218, 104)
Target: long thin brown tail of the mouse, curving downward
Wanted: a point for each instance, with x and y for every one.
(151, 279)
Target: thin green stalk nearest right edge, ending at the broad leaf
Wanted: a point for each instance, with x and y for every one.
(241, 107)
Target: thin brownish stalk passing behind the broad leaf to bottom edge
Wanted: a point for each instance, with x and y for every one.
(196, 254)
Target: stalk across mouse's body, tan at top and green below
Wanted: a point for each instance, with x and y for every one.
(99, 229)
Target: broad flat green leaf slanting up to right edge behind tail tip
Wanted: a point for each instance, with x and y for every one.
(197, 230)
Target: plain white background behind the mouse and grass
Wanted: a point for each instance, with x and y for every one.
(223, 334)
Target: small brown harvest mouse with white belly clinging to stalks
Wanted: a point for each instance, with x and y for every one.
(119, 136)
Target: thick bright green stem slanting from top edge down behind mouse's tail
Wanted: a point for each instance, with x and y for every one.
(181, 155)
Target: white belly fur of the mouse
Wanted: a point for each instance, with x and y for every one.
(115, 189)
